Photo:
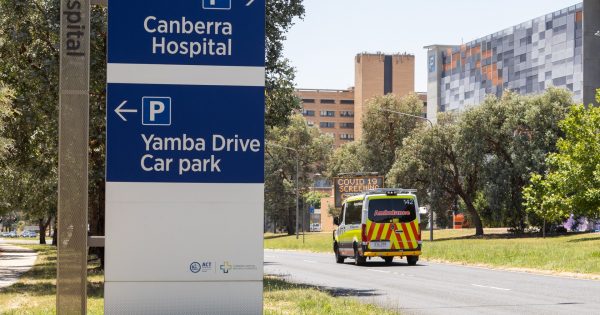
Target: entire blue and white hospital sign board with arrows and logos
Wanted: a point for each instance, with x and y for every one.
(185, 156)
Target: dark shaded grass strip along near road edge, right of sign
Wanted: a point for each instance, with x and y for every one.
(274, 284)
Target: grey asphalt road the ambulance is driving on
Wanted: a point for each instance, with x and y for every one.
(433, 288)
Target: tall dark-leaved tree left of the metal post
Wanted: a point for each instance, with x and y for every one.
(29, 65)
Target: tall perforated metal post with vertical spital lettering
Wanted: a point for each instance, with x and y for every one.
(71, 280)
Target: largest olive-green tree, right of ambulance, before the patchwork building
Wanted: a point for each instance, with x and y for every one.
(484, 156)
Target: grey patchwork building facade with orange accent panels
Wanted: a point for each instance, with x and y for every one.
(558, 49)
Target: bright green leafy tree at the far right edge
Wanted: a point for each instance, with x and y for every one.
(572, 183)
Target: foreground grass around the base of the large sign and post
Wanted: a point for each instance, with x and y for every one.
(35, 293)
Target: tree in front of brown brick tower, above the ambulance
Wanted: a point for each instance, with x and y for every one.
(383, 131)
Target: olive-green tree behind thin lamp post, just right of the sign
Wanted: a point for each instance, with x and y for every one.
(313, 149)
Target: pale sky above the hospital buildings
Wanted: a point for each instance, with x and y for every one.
(322, 46)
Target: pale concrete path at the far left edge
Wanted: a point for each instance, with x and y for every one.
(14, 261)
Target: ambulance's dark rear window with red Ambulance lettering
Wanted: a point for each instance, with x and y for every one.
(386, 210)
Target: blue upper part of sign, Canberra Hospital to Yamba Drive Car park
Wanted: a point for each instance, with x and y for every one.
(186, 91)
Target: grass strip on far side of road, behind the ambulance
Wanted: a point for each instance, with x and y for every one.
(573, 253)
